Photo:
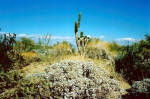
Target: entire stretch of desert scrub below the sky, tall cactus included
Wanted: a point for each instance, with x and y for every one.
(95, 69)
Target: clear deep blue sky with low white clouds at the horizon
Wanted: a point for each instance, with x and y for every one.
(105, 19)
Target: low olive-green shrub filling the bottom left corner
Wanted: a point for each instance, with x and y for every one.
(25, 88)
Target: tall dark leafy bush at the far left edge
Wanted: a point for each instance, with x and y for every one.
(7, 52)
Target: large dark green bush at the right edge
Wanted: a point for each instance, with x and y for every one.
(134, 61)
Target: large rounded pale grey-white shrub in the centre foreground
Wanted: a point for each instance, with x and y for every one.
(83, 80)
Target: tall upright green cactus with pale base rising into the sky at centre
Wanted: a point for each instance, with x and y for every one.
(81, 41)
